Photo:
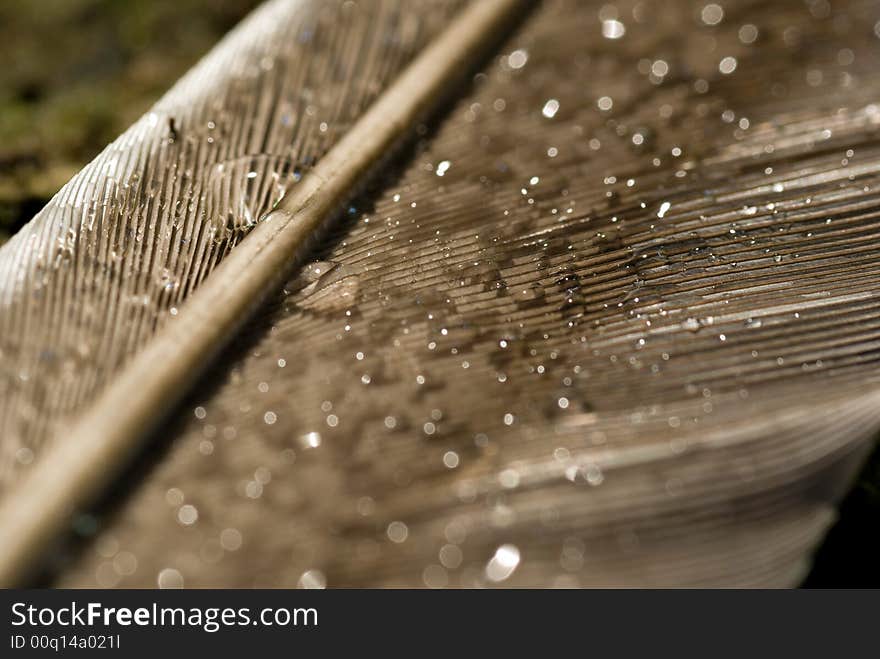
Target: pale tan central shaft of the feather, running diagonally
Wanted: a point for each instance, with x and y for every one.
(103, 440)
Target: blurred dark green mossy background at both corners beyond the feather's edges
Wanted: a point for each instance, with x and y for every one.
(79, 72)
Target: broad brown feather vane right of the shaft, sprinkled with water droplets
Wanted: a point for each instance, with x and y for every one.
(613, 323)
